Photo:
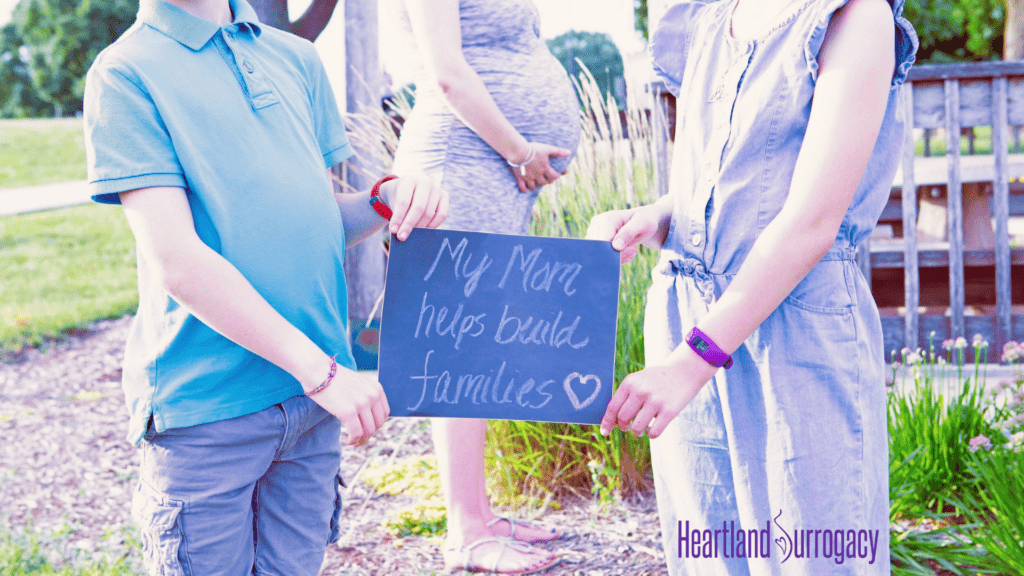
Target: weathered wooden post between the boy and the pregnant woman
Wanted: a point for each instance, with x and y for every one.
(364, 263)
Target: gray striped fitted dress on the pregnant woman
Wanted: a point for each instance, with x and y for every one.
(501, 42)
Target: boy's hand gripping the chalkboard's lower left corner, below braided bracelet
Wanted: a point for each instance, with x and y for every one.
(358, 400)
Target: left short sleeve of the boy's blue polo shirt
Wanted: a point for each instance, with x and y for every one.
(126, 143)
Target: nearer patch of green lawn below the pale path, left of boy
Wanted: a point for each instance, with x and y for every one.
(61, 270)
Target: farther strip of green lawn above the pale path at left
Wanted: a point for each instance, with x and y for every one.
(39, 152)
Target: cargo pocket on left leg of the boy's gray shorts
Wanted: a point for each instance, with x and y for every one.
(158, 520)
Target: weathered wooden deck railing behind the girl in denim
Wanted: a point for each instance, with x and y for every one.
(949, 99)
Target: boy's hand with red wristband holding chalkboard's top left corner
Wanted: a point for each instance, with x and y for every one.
(416, 202)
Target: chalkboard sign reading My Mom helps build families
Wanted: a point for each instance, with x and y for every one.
(497, 326)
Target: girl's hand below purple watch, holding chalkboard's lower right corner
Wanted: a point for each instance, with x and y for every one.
(651, 399)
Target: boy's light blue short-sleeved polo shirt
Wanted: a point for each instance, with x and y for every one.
(243, 118)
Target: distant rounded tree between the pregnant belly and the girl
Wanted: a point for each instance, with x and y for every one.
(599, 54)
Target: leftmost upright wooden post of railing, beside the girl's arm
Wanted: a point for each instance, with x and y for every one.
(909, 198)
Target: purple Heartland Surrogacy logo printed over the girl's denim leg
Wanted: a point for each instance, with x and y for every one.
(837, 545)
